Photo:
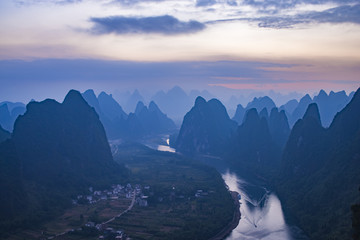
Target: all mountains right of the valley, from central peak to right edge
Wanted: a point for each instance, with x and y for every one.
(315, 169)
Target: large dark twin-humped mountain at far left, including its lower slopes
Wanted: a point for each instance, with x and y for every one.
(57, 150)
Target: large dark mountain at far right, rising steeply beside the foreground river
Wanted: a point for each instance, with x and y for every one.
(320, 171)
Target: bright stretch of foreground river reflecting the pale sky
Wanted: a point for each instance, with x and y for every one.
(261, 213)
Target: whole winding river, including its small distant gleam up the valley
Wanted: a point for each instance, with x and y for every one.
(262, 216)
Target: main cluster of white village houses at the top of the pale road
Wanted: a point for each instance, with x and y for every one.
(117, 191)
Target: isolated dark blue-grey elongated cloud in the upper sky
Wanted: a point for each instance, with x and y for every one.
(167, 25)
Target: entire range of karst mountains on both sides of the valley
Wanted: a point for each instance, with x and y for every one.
(308, 149)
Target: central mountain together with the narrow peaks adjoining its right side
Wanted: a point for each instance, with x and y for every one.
(207, 128)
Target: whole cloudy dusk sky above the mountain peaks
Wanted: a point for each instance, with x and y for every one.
(50, 46)
